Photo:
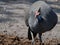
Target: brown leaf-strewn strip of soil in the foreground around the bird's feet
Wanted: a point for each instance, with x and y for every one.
(15, 40)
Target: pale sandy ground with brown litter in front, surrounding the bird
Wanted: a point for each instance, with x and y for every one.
(13, 30)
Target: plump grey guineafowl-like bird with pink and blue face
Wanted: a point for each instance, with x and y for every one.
(40, 18)
